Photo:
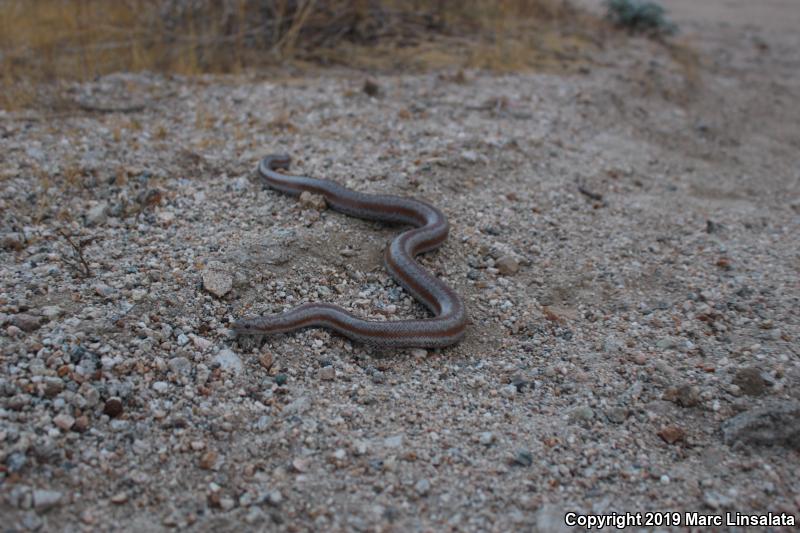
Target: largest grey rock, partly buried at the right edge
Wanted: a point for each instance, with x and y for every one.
(774, 424)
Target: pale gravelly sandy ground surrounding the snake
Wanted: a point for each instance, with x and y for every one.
(625, 239)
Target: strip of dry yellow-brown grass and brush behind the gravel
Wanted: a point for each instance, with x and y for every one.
(65, 40)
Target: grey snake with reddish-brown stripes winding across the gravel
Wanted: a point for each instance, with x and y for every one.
(429, 230)
